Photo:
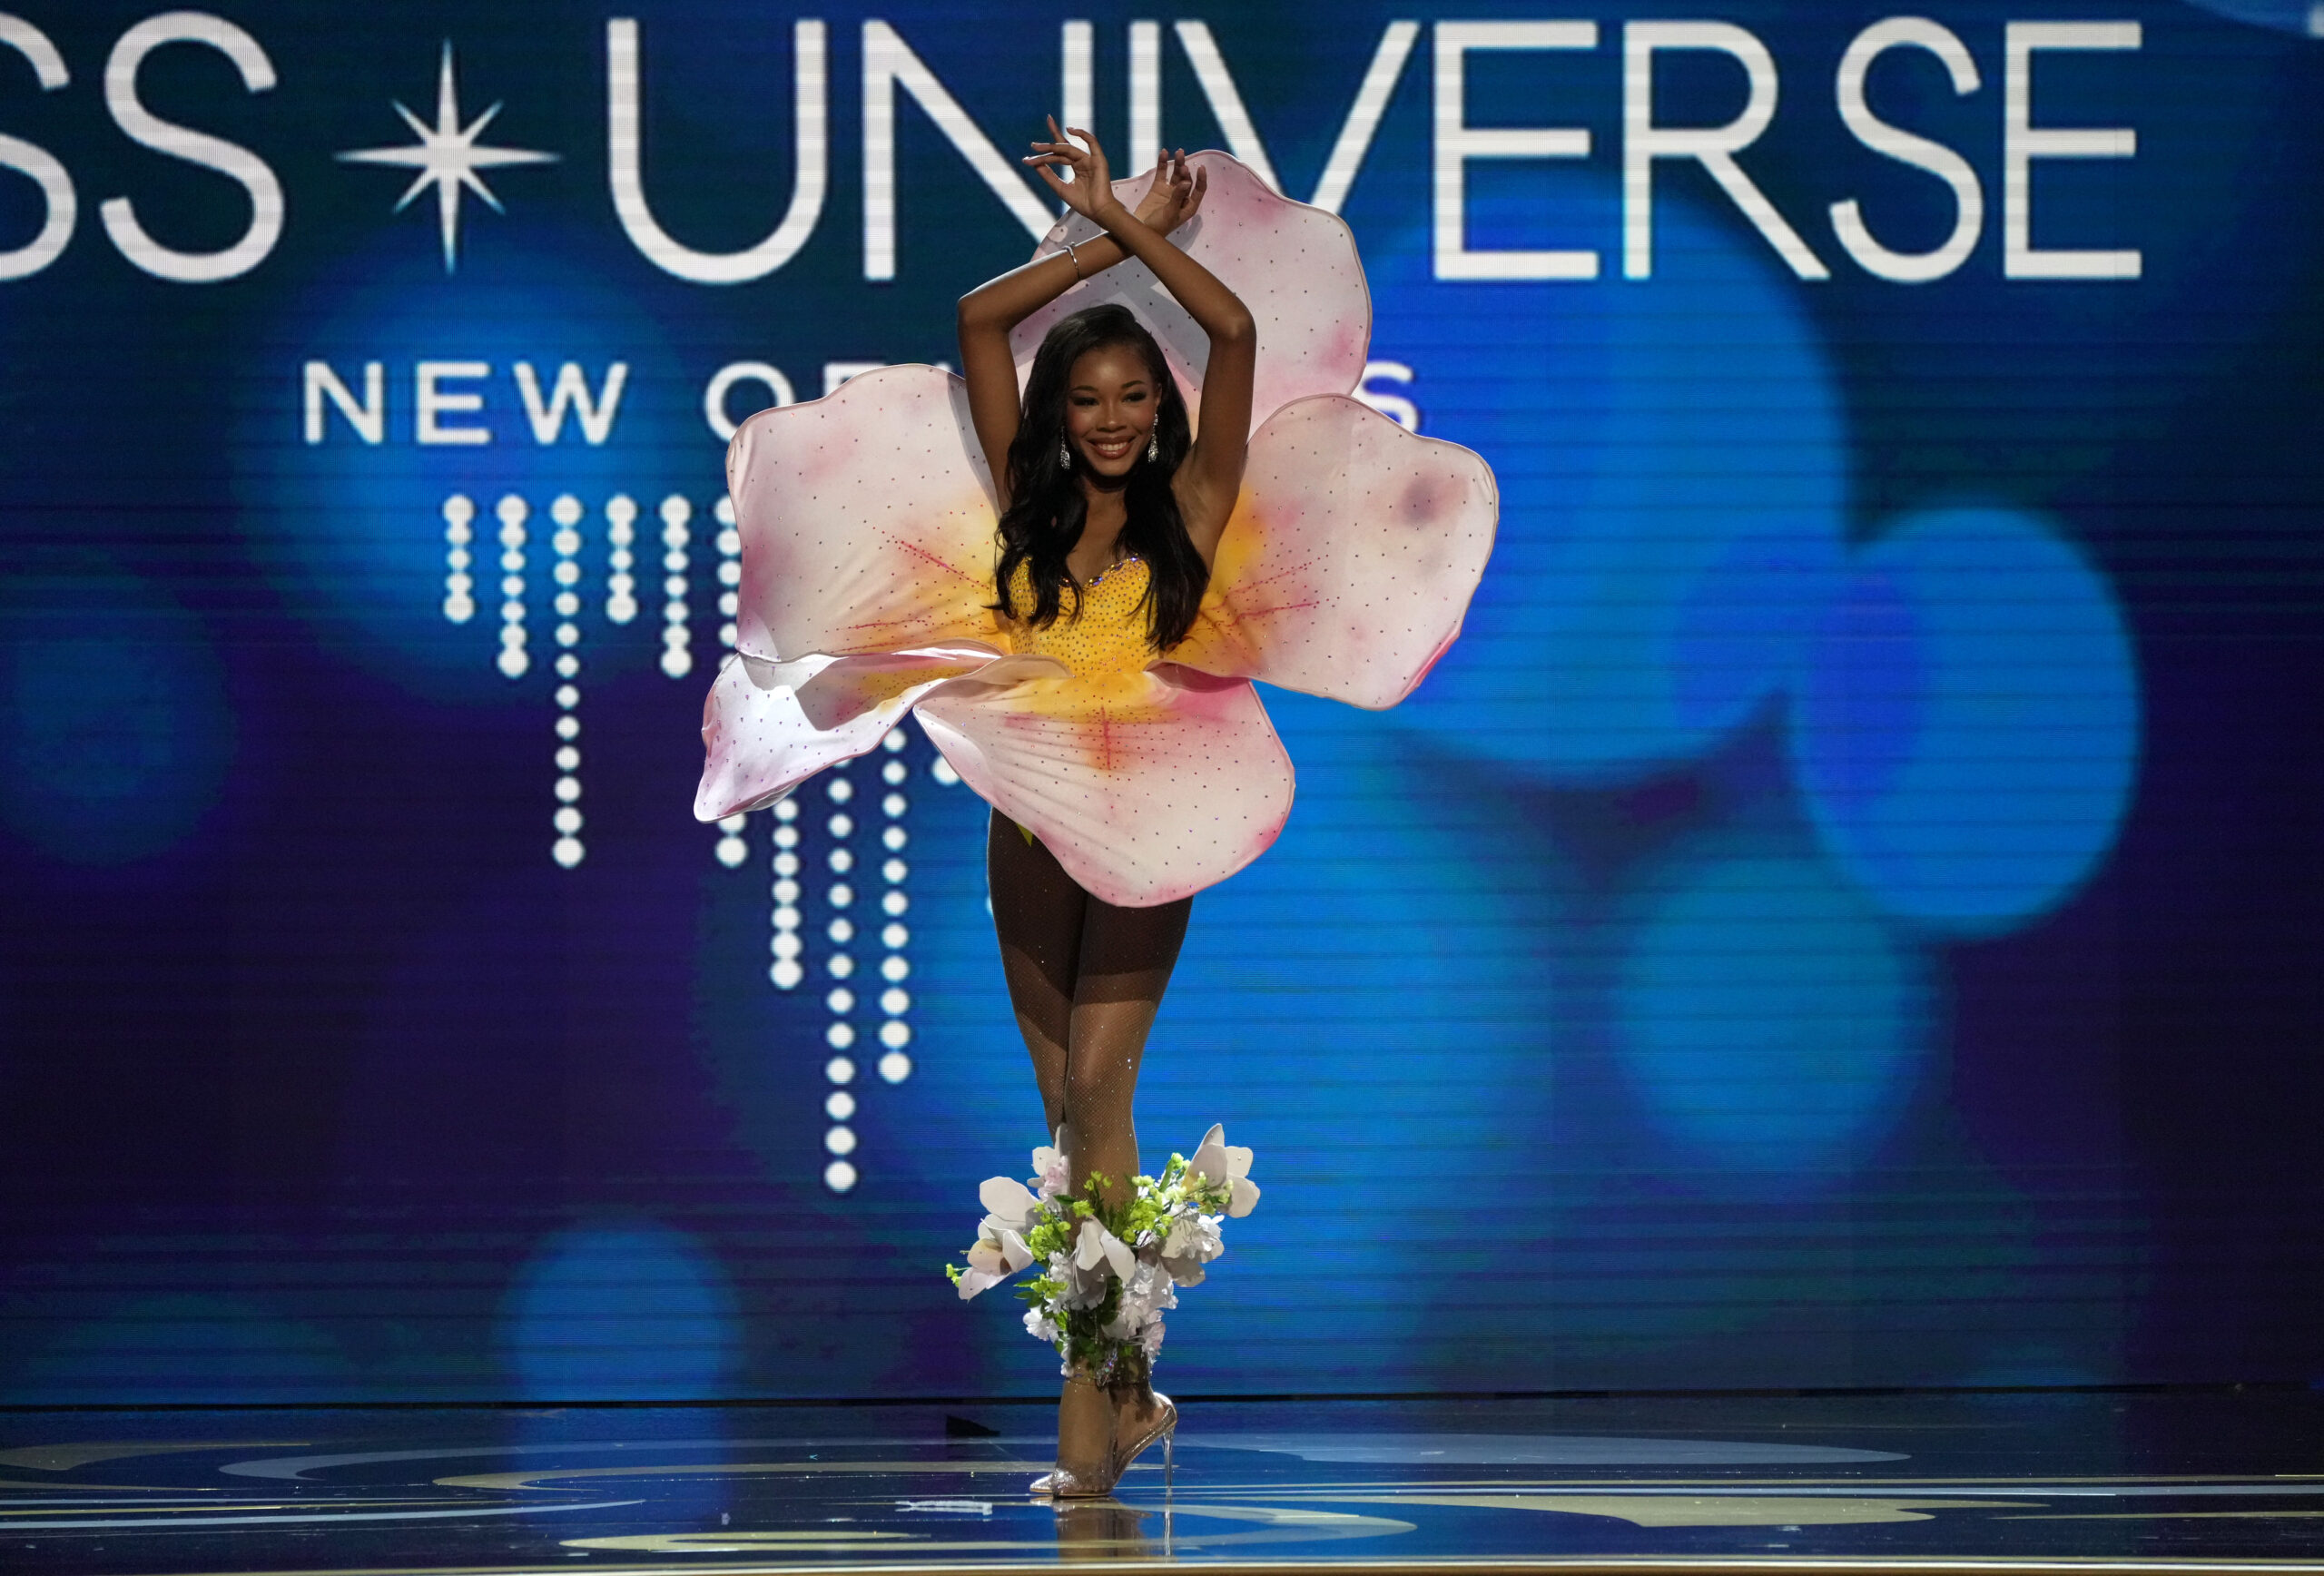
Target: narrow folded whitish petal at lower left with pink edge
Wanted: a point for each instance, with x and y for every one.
(770, 726)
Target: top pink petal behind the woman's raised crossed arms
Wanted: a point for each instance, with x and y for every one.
(1291, 264)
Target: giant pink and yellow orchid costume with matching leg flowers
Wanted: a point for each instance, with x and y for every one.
(870, 543)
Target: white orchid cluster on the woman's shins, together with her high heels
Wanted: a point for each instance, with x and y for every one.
(1110, 1273)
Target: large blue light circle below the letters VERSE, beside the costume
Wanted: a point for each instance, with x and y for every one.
(1672, 471)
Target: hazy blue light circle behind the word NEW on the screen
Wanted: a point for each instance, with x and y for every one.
(354, 533)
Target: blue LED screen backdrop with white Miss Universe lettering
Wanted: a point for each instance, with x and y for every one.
(1844, 915)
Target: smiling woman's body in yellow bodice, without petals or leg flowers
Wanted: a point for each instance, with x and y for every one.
(1110, 522)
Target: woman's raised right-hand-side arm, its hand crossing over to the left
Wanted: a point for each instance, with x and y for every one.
(1214, 466)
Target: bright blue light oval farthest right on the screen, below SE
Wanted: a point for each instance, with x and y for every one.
(1967, 722)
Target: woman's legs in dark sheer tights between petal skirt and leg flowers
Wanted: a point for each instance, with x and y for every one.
(1086, 982)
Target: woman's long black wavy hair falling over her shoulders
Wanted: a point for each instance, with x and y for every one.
(1047, 506)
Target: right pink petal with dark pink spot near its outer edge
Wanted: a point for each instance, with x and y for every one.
(1349, 561)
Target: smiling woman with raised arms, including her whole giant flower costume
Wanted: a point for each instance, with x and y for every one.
(1073, 589)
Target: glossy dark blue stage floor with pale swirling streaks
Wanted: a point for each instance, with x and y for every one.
(1898, 1482)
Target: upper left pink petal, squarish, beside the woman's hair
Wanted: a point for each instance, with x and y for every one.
(866, 520)
